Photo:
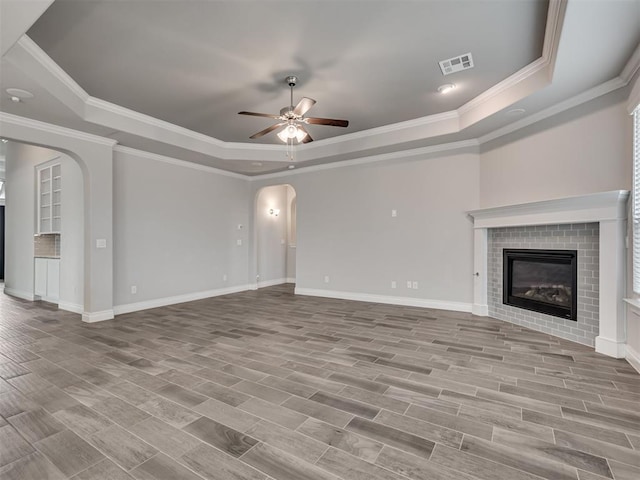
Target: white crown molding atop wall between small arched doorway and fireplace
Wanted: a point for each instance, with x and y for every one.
(452, 147)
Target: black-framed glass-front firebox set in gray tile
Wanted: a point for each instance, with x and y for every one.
(544, 281)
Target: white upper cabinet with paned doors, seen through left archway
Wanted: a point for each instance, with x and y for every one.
(49, 198)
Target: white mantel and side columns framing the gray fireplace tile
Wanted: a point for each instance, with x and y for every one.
(609, 211)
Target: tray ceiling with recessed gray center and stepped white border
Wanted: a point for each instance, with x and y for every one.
(190, 66)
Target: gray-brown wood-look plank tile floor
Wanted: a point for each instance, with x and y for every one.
(268, 385)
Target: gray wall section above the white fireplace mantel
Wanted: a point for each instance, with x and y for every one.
(584, 150)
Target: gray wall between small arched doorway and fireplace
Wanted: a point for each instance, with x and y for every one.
(345, 229)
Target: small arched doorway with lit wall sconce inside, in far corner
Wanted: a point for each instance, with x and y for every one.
(275, 235)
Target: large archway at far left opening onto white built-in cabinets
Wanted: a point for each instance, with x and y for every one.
(59, 250)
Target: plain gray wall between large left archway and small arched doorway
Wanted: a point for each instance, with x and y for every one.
(176, 229)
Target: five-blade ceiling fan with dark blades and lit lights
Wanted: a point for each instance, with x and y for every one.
(293, 119)
